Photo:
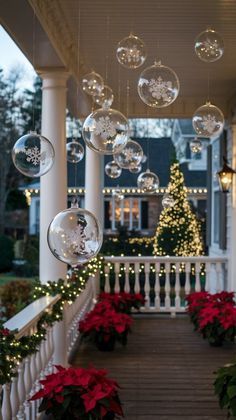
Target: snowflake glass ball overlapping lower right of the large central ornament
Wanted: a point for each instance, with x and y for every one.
(130, 156)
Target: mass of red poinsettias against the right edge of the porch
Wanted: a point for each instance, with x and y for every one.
(213, 315)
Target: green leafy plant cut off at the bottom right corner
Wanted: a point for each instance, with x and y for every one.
(225, 388)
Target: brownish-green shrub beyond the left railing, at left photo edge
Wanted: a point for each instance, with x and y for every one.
(15, 295)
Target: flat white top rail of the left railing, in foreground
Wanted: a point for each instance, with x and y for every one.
(28, 317)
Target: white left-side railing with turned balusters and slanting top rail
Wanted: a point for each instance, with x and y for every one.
(54, 349)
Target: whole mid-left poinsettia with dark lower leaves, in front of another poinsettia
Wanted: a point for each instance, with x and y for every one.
(104, 326)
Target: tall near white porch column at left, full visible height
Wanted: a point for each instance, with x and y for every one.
(53, 185)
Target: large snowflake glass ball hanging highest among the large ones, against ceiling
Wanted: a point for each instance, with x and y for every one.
(158, 86)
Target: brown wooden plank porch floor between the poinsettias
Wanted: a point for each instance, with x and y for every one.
(166, 370)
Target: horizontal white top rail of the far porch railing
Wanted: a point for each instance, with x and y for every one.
(131, 259)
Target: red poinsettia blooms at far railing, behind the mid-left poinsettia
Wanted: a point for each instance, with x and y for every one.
(123, 302)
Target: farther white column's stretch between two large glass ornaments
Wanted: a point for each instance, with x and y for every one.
(94, 182)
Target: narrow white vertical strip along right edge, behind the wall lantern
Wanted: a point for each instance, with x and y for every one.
(231, 286)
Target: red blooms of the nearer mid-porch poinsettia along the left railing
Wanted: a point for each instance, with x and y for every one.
(104, 320)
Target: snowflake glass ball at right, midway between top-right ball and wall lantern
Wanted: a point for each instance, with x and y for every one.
(208, 120)
